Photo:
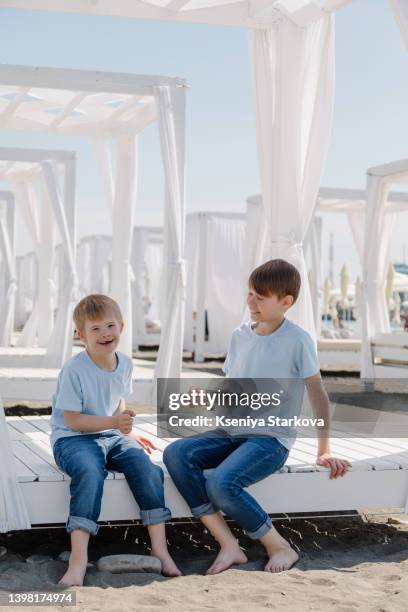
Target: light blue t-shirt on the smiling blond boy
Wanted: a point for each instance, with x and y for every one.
(85, 387)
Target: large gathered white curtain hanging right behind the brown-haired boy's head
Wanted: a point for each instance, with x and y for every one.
(294, 74)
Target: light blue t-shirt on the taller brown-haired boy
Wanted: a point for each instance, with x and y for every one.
(288, 353)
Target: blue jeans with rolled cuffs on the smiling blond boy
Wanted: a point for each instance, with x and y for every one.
(86, 458)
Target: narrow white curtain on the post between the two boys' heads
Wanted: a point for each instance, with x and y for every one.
(170, 102)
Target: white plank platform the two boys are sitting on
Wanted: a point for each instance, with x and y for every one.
(378, 477)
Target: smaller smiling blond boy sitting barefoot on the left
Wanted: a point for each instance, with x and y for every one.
(89, 435)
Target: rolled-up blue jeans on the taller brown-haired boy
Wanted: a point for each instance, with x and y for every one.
(237, 463)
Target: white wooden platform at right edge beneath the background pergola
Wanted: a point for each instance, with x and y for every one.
(390, 355)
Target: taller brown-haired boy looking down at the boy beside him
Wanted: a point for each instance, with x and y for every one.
(269, 346)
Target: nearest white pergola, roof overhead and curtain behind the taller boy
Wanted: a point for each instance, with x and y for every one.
(292, 49)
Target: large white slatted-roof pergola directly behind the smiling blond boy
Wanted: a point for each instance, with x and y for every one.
(111, 109)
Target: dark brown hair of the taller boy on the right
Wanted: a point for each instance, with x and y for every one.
(276, 277)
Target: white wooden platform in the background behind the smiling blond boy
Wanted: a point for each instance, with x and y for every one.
(39, 384)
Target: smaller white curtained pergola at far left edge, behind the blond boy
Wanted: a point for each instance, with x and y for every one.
(43, 183)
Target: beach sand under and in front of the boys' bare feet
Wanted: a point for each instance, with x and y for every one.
(356, 562)
